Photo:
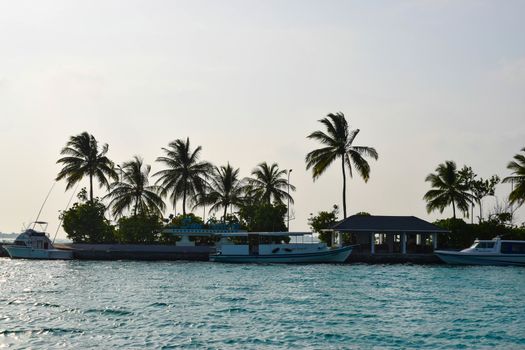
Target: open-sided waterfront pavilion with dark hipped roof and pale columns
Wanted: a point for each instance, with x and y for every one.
(388, 234)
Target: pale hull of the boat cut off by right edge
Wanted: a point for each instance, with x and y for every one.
(459, 258)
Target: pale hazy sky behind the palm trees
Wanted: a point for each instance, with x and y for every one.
(425, 82)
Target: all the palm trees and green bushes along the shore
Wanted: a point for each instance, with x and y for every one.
(256, 203)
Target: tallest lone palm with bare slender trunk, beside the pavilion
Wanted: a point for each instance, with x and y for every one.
(338, 141)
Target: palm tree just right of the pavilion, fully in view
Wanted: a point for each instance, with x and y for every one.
(448, 188)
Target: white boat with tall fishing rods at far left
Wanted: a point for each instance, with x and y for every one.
(32, 244)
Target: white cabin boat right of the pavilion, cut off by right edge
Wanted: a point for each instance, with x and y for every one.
(487, 252)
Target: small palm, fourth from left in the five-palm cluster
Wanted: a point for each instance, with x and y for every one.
(224, 189)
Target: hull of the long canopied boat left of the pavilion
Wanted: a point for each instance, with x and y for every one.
(329, 256)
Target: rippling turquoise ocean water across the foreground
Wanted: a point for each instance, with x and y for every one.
(169, 305)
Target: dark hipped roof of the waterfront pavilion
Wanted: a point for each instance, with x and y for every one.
(378, 224)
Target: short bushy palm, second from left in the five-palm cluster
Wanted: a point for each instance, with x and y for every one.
(133, 190)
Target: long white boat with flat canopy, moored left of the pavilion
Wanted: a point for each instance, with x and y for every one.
(268, 247)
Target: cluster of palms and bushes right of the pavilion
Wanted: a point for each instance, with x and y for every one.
(463, 190)
